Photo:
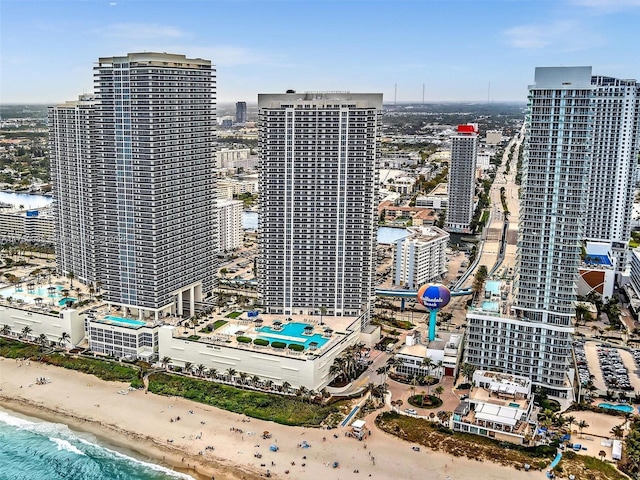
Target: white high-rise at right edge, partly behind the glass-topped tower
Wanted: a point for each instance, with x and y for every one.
(616, 144)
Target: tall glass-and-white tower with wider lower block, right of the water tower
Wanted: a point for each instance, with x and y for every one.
(534, 336)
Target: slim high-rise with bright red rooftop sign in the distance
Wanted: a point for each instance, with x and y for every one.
(462, 179)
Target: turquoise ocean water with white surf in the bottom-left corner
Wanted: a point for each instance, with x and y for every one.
(32, 449)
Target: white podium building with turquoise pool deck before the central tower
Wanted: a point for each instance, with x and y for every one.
(262, 346)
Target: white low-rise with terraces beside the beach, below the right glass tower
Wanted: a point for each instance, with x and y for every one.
(499, 406)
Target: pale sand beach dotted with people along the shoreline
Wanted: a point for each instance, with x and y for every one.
(142, 423)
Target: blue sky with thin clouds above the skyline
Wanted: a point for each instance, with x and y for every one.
(454, 47)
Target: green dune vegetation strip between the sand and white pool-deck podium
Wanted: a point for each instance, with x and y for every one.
(280, 409)
